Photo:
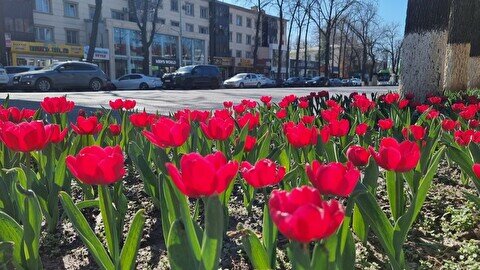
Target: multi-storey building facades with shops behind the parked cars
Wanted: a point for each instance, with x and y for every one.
(187, 32)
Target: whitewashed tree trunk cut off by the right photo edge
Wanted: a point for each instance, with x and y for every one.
(474, 60)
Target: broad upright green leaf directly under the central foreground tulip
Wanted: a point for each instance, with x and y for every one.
(213, 235)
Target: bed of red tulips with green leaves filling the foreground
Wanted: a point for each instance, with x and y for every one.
(323, 174)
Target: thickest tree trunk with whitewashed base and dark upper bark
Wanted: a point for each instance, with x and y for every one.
(423, 53)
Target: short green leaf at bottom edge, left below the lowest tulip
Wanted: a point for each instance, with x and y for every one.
(255, 251)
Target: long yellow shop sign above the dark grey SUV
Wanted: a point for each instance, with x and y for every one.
(46, 49)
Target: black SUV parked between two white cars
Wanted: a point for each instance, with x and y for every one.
(189, 77)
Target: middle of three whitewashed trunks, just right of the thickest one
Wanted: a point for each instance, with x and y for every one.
(458, 46)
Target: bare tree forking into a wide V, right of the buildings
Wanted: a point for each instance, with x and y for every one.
(327, 13)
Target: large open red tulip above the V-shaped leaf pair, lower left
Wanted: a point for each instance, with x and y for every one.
(95, 165)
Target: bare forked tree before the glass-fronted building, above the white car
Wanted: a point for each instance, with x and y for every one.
(145, 13)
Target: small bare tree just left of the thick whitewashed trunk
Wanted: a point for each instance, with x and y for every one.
(392, 45)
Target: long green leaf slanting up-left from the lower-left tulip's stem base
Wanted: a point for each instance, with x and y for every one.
(86, 233)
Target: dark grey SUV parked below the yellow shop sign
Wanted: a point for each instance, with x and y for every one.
(63, 75)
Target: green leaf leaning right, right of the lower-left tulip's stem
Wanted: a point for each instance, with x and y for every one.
(132, 243)
